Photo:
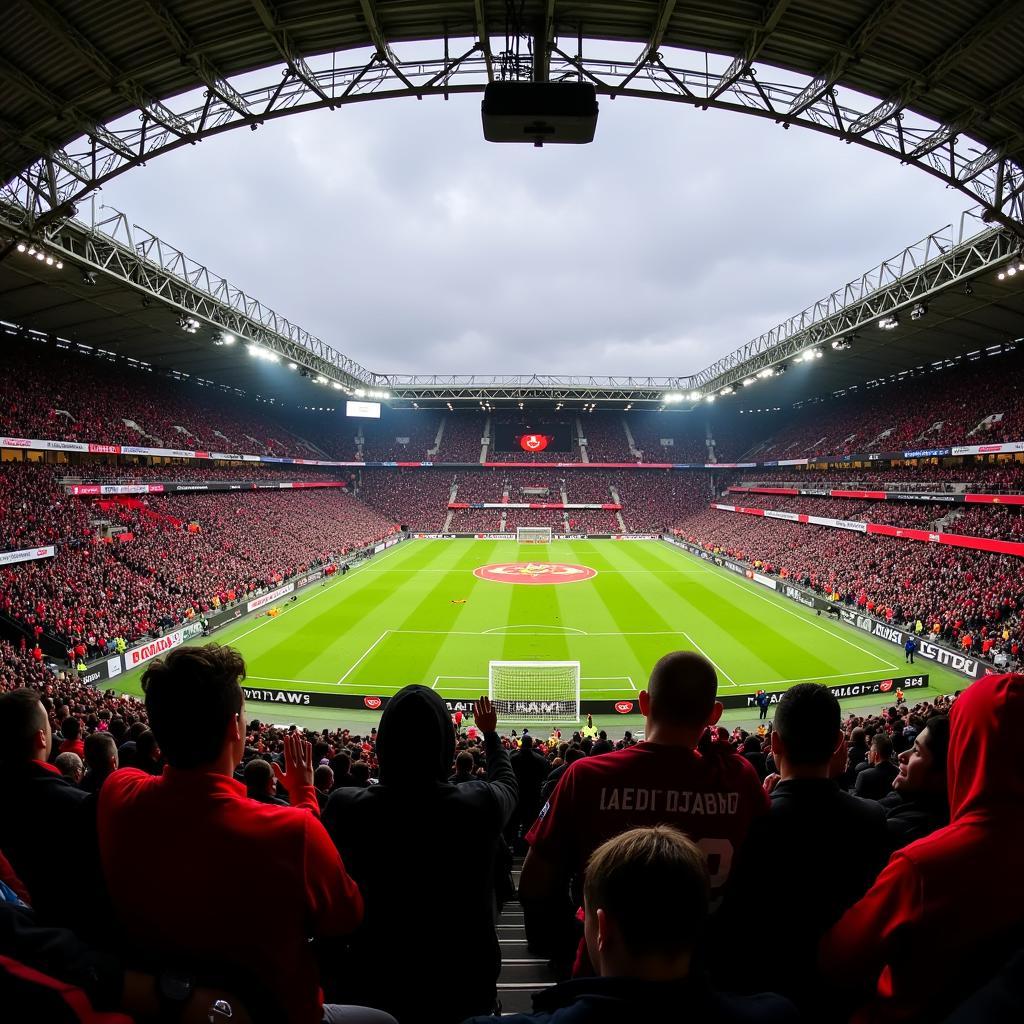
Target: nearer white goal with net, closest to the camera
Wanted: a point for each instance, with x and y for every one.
(535, 692)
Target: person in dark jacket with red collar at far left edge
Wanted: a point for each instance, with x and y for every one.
(44, 828)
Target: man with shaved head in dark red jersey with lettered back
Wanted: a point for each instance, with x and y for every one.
(663, 781)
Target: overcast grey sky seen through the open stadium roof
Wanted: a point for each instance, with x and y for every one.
(395, 233)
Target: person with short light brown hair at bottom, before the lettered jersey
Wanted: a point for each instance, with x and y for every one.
(646, 906)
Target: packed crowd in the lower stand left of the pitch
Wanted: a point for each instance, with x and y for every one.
(178, 557)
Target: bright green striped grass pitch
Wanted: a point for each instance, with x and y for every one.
(416, 614)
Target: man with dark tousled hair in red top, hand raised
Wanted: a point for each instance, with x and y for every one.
(181, 850)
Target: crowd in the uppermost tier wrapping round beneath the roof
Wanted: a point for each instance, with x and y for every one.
(65, 395)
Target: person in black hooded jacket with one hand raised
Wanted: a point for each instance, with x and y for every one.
(422, 852)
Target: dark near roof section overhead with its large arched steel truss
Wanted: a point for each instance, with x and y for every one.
(88, 89)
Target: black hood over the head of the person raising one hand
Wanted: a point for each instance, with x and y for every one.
(416, 743)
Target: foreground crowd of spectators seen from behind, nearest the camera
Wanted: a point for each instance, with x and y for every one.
(646, 858)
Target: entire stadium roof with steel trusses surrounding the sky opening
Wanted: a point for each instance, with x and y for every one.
(92, 91)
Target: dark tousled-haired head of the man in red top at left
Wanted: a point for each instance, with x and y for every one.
(192, 696)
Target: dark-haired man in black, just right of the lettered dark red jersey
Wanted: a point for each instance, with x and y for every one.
(819, 847)
